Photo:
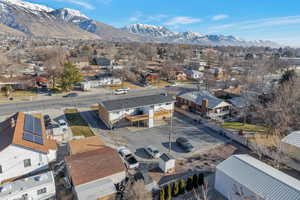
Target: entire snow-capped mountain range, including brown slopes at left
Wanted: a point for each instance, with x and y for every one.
(42, 21)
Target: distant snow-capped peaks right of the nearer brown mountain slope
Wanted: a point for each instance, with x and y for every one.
(165, 35)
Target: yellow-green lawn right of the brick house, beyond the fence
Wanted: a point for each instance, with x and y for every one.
(244, 127)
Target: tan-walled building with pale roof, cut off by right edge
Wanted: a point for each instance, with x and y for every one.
(291, 145)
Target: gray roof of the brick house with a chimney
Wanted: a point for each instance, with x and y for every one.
(198, 96)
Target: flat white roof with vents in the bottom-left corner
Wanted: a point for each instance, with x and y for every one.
(25, 184)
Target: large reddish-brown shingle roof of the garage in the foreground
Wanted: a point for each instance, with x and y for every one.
(93, 165)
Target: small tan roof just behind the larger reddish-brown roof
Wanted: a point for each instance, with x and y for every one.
(85, 144)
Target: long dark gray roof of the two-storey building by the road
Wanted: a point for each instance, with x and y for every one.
(134, 102)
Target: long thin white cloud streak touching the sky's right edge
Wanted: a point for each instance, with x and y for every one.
(259, 23)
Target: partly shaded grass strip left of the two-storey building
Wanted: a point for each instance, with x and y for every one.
(77, 124)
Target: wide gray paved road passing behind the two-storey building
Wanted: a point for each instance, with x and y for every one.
(80, 101)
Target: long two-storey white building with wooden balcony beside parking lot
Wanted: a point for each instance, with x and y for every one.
(143, 110)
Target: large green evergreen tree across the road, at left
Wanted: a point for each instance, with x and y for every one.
(71, 76)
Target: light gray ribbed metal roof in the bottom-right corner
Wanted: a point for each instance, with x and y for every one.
(261, 178)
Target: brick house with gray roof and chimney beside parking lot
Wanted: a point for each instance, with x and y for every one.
(204, 103)
